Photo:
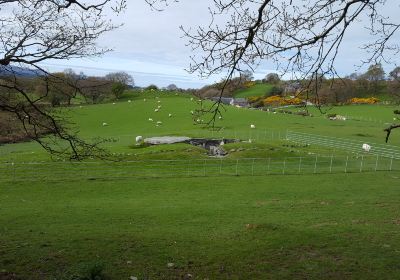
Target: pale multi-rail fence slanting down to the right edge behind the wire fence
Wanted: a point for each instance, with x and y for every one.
(344, 144)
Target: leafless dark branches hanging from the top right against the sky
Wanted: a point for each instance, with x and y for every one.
(300, 37)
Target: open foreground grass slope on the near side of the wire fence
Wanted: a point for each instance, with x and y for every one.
(277, 227)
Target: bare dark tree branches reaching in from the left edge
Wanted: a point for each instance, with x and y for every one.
(33, 32)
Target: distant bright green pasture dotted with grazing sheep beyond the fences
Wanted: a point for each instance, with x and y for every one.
(126, 120)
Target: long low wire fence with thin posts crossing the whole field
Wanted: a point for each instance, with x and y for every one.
(313, 164)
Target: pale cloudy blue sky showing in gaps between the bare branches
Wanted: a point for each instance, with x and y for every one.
(150, 47)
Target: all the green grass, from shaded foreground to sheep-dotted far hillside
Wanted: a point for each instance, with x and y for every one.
(331, 226)
